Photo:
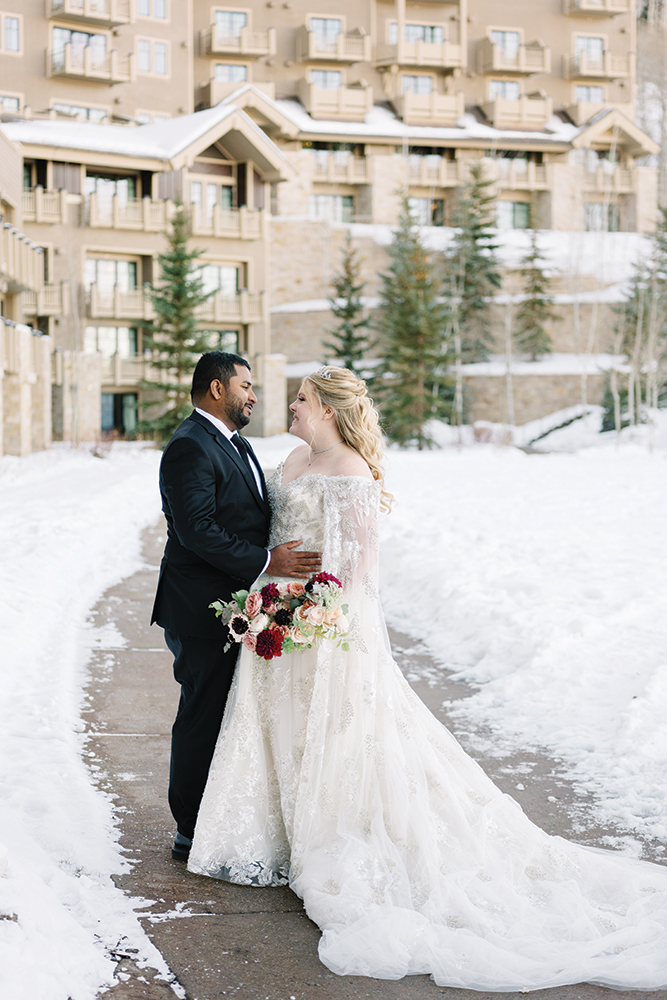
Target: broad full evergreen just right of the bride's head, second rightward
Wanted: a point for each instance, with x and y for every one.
(414, 386)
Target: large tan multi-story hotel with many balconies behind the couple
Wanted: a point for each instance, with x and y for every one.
(367, 105)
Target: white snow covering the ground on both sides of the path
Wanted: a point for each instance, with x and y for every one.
(539, 579)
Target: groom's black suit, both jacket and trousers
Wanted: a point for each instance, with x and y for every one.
(217, 530)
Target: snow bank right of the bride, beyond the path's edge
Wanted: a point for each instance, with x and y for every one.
(540, 580)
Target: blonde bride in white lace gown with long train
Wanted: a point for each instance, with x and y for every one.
(330, 775)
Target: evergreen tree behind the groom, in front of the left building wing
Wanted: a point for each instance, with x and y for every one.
(174, 337)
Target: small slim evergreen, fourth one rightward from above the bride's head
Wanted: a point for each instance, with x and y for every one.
(537, 308)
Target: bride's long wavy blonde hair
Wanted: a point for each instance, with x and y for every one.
(356, 417)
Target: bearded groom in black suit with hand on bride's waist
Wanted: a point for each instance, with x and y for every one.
(218, 516)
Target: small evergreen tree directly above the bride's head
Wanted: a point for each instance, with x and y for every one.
(350, 339)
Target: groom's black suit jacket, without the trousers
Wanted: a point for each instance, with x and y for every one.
(217, 528)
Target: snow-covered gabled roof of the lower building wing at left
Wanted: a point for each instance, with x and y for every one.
(169, 144)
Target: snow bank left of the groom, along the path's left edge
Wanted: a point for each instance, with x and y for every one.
(70, 527)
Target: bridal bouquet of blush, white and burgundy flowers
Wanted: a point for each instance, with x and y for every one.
(283, 617)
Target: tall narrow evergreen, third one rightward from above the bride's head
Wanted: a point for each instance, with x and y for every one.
(472, 267)
